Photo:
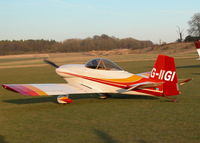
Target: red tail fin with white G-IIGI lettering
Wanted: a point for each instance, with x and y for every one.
(164, 70)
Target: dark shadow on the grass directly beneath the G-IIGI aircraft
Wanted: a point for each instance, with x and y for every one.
(74, 97)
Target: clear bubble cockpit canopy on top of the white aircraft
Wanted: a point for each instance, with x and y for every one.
(102, 64)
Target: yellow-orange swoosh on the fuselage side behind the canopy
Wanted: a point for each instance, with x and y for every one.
(132, 78)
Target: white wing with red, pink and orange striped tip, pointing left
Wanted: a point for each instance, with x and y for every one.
(43, 89)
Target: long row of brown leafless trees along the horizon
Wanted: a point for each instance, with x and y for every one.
(102, 42)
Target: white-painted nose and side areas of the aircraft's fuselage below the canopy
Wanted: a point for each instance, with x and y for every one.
(69, 73)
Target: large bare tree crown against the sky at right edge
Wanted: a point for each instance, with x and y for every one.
(194, 23)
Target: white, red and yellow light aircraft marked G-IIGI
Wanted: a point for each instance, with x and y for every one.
(105, 77)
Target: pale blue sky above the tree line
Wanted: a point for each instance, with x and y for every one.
(63, 19)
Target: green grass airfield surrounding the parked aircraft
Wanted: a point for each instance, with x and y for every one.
(90, 120)
